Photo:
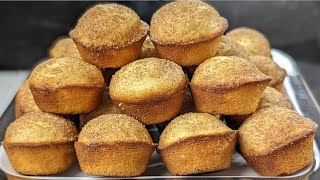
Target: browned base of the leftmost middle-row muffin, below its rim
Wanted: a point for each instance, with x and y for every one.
(68, 99)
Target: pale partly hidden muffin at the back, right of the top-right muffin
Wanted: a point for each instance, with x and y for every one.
(253, 41)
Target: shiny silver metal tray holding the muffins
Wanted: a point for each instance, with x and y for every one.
(297, 91)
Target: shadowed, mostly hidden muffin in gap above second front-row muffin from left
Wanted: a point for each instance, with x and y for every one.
(106, 107)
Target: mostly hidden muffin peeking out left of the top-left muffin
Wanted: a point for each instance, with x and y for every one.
(64, 47)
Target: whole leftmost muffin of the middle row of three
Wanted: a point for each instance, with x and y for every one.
(66, 85)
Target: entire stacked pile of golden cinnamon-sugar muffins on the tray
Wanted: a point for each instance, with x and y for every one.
(181, 74)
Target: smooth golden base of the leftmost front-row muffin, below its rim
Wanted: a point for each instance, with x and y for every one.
(40, 159)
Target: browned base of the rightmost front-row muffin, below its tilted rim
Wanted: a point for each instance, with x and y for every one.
(284, 160)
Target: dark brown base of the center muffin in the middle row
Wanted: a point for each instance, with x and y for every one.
(154, 112)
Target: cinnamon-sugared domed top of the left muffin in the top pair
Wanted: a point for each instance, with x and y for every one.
(107, 25)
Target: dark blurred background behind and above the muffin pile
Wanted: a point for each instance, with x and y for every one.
(28, 28)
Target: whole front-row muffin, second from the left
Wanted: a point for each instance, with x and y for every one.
(124, 151)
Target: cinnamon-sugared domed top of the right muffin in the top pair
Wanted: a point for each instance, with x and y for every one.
(185, 21)
